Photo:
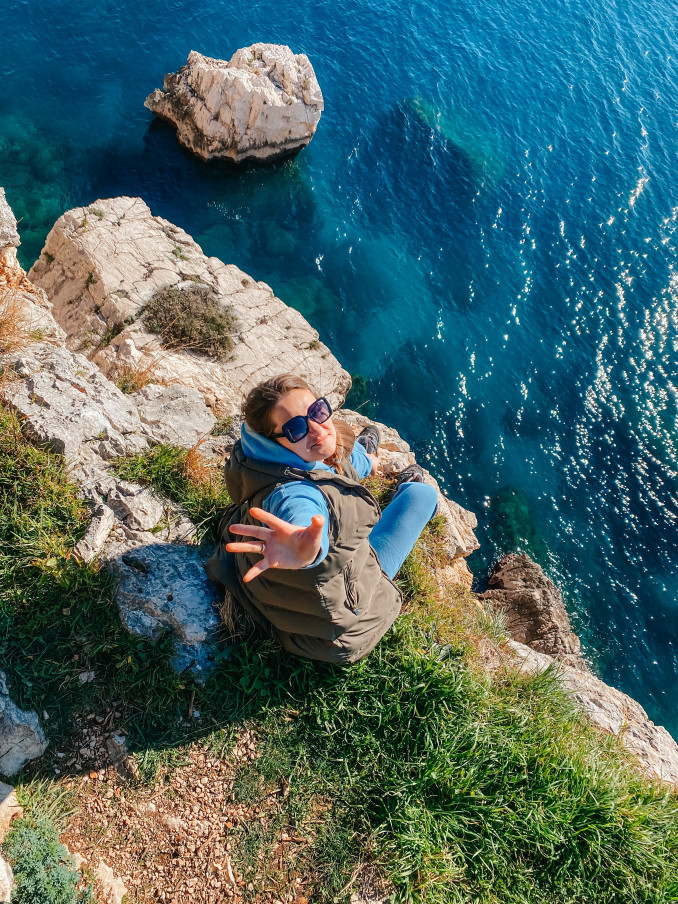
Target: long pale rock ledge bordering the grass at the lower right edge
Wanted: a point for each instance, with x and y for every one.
(614, 712)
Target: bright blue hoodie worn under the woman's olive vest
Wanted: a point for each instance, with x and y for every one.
(298, 501)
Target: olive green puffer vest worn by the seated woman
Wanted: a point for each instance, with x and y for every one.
(338, 610)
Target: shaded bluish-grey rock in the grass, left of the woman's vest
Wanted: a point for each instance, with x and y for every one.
(164, 586)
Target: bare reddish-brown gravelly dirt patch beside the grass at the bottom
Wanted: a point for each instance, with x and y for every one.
(182, 840)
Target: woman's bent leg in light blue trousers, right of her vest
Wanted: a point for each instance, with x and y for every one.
(394, 535)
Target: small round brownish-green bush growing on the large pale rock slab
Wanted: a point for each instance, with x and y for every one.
(191, 317)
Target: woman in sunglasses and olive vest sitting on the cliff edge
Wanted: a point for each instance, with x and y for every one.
(317, 556)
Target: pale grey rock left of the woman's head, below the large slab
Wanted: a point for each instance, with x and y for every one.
(176, 415)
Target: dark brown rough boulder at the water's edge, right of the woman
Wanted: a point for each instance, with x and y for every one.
(536, 614)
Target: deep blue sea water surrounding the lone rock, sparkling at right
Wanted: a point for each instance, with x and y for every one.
(484, 228)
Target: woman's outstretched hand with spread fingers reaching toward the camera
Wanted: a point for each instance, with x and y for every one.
(285, 545)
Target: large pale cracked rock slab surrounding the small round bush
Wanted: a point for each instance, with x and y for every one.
(101, 265)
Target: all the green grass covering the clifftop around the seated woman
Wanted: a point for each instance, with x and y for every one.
(456, 787)
